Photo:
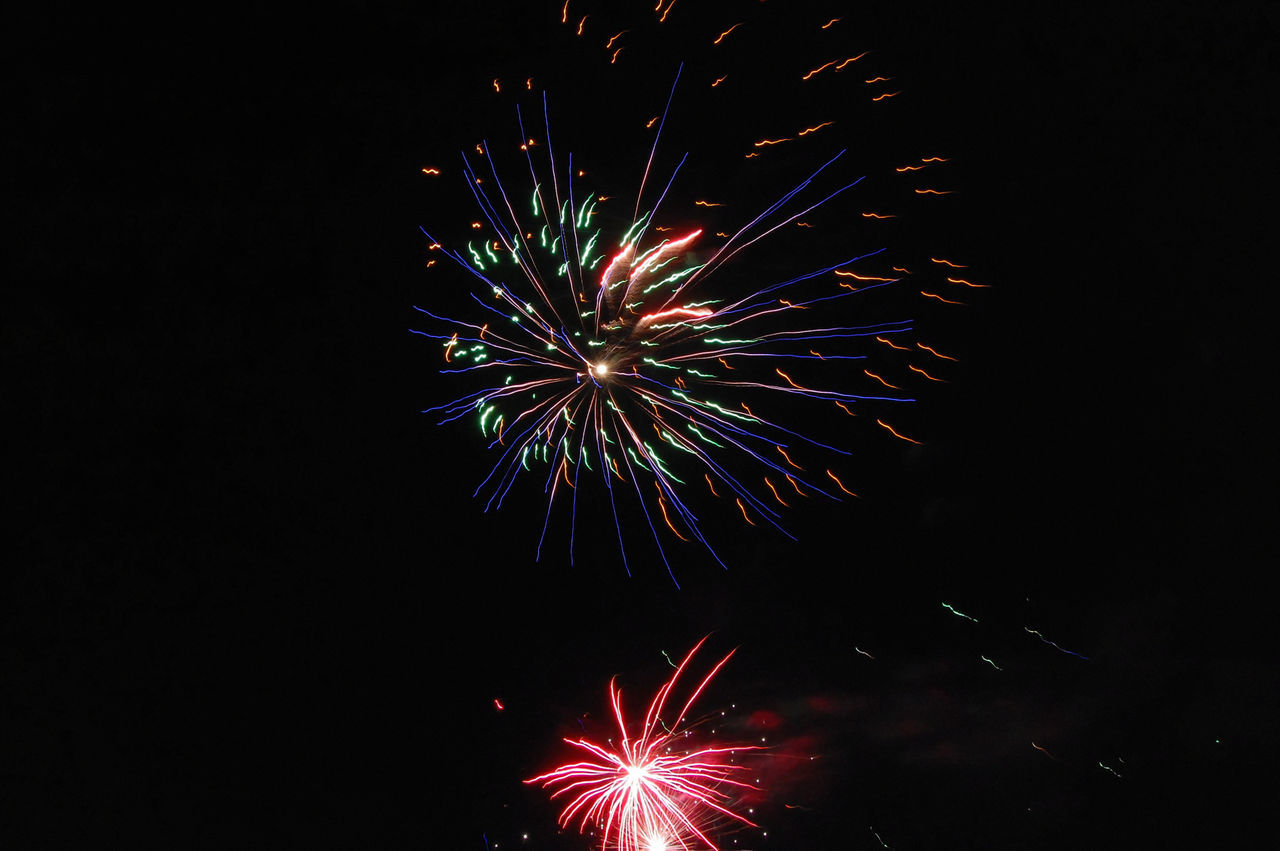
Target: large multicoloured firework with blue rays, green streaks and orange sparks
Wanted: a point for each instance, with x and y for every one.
(637, 351)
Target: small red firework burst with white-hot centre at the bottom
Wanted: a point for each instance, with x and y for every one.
(652, 790)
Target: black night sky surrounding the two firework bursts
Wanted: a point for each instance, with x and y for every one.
(253, 602)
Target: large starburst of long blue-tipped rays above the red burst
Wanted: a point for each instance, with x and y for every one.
(665, 367)
